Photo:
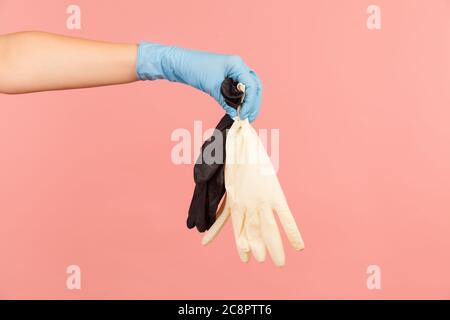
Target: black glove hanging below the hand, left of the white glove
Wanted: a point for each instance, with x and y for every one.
(209, 184)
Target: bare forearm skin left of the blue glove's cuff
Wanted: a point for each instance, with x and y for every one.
(39, 61)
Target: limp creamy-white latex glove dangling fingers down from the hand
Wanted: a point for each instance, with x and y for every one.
(253, 194)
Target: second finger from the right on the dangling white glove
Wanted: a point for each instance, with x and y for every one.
(271, 236)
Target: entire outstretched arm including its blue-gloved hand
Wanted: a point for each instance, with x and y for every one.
(39, 61)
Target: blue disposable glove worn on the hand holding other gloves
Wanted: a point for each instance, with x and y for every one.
(202, 70)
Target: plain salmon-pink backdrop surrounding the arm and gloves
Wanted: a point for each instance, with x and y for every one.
(86, 176)
